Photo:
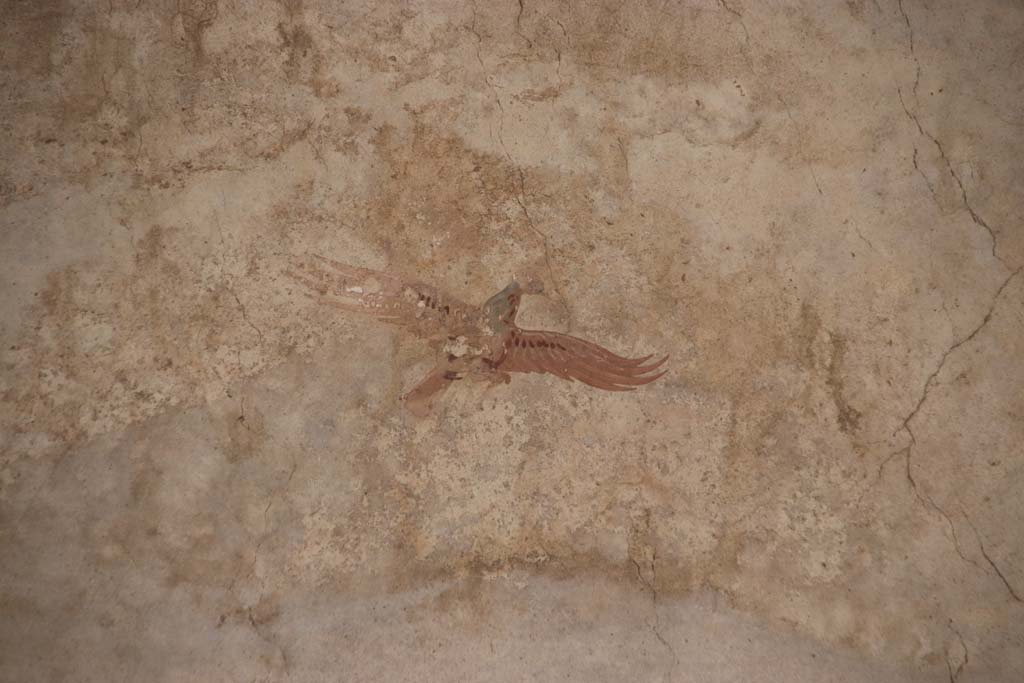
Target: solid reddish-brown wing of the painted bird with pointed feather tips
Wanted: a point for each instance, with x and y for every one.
(574, 359)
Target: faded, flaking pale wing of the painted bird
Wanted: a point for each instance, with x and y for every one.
(387, 296)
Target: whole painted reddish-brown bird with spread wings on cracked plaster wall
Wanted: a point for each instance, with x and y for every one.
(481, 343)
